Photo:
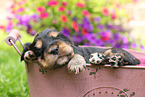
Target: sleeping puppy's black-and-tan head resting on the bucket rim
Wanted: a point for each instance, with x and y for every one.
(52, 48)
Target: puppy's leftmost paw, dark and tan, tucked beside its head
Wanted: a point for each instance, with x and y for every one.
(29, 56)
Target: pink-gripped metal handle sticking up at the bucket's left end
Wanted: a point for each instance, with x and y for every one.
(13, 36)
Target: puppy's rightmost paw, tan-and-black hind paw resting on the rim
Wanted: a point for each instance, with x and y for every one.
(116, 60)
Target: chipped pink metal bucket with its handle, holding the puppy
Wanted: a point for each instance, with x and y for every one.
(127, 81)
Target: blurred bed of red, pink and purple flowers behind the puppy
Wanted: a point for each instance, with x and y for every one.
(87, 22)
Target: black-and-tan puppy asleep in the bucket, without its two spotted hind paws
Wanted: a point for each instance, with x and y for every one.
(52, 49)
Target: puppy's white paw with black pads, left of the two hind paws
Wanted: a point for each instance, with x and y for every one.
(97, 58)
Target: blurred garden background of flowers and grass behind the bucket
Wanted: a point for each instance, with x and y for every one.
(113, 23)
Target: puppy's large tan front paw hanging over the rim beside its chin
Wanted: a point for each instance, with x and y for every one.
(76, 64)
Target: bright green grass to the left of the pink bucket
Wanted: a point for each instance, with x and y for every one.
(13, 78)
